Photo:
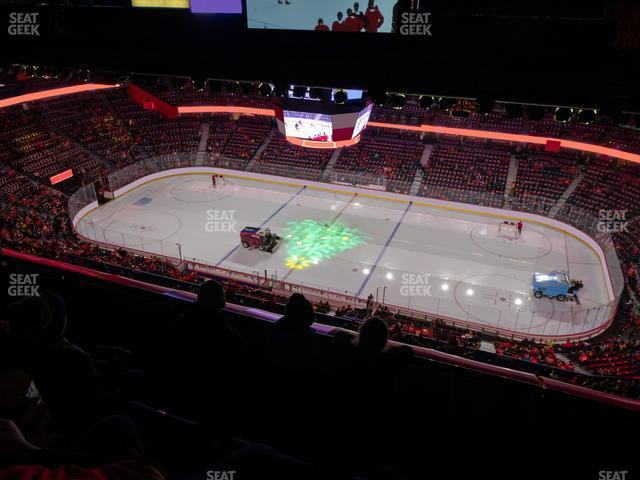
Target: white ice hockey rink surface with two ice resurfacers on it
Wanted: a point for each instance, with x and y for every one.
(428, 259)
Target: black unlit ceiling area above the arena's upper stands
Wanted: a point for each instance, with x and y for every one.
(578, 53)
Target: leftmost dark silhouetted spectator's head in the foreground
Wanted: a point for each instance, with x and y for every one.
(40, 318)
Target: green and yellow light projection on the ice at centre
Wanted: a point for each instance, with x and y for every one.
(310, 242)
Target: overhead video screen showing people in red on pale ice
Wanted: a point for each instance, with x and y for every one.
(322, 15)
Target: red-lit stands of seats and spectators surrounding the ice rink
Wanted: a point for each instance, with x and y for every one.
(34, 217)
